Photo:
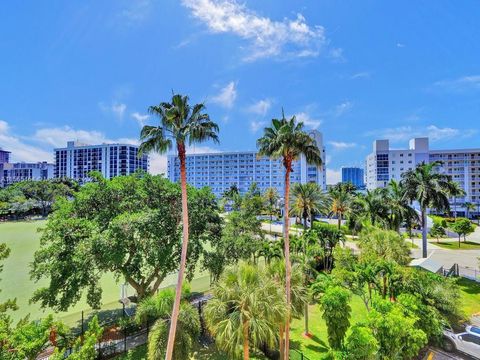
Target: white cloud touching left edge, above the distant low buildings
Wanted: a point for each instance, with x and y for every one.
(21, 151)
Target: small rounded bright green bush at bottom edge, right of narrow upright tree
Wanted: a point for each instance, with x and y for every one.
(361, 344)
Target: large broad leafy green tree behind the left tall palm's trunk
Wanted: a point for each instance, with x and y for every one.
(129, 226)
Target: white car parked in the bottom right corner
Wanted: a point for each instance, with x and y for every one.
(467, 342)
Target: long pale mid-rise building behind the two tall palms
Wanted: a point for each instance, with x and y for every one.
(221, 170)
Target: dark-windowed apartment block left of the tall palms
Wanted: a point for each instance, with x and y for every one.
(77, 160)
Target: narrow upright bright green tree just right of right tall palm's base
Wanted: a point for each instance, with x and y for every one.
(336, 313)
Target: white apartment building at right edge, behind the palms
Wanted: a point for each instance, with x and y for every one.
(384, 164)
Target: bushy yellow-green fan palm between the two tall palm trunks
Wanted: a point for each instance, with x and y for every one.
(244, 310)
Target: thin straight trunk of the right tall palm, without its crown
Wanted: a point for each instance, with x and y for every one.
(286, 226)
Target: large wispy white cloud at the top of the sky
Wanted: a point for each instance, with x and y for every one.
(266, 37)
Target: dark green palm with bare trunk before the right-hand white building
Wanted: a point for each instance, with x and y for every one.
(430, 189)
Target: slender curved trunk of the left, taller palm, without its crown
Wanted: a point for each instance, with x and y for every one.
(183, 259)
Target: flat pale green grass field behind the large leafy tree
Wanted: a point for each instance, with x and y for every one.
(23, 240)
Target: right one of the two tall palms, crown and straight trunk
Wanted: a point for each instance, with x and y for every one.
(287, 141)
